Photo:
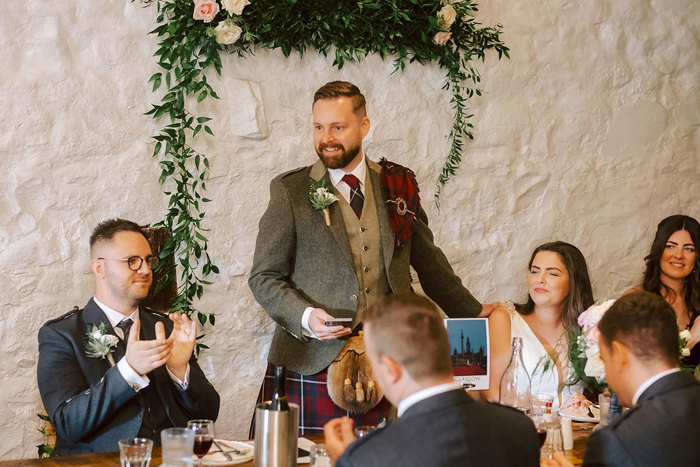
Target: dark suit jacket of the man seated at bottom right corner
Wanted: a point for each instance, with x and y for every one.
(661, 430)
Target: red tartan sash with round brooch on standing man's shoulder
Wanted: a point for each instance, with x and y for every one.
(400, 191)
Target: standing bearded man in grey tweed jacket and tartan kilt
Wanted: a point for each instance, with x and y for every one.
(315, 260)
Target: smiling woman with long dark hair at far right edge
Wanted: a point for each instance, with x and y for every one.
(672, 272)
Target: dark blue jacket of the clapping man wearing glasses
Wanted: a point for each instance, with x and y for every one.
(90, 404)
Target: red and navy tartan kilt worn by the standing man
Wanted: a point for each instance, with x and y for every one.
(315, 405)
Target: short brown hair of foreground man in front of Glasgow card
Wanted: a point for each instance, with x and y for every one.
(409, 329)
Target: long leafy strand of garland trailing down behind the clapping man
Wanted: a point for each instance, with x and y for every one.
(184, 52)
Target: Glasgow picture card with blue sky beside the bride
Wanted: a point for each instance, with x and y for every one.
(469, 348)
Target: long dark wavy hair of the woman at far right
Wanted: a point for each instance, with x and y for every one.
(652, 274)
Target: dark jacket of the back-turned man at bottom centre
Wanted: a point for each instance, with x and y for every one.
(449, 429)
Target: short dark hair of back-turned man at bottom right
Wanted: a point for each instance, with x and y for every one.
(645, 323)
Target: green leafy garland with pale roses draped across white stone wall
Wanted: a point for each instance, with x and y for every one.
(406, 30)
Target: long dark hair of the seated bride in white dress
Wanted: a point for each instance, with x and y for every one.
(580, 295)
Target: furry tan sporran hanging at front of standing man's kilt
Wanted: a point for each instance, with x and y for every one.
(350, 382)
